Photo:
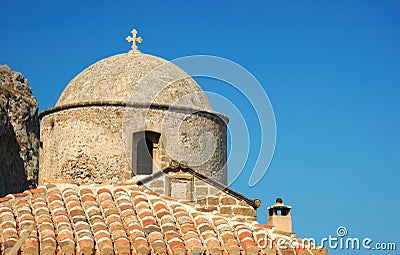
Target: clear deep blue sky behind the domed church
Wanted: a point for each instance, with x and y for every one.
(331, 70)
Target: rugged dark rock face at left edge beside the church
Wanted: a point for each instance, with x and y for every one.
(19, 133)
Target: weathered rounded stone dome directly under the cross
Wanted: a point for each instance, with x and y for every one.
(135, 78)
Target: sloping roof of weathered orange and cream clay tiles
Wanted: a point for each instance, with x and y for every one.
(108, 220)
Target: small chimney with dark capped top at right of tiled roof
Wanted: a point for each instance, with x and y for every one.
(279, 216)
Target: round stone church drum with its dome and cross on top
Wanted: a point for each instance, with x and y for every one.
(129, 115)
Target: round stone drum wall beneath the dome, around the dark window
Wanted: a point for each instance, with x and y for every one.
(93, 144)
